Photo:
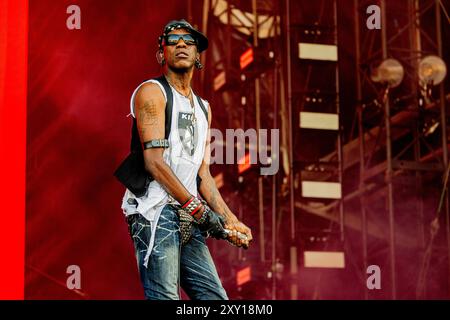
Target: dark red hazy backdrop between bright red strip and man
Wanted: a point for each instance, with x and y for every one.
(80, 82)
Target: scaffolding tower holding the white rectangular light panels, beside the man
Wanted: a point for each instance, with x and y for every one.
(270, 77)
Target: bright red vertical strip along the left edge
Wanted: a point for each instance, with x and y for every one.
(13, 87)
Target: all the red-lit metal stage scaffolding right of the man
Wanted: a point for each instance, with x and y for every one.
(385, 149)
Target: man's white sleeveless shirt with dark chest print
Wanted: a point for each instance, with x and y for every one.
(187, 142)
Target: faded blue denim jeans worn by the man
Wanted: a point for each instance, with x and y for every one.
(170, 264)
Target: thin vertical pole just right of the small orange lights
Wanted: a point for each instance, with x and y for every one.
(258, 127)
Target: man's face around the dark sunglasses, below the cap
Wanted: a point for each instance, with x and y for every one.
(180, 56)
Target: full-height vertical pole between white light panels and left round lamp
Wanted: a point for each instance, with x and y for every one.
(361, 145)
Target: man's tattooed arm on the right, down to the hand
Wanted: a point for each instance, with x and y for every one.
(212, 196)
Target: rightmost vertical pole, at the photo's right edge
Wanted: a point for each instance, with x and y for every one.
(444, 129)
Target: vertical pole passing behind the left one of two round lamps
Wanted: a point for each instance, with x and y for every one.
(389, 173)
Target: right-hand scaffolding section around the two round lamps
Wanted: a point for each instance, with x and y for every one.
(399, 125)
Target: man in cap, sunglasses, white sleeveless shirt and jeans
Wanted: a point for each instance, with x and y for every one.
(175, 154)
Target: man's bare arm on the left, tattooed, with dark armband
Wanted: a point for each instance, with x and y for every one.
(149, 110)
